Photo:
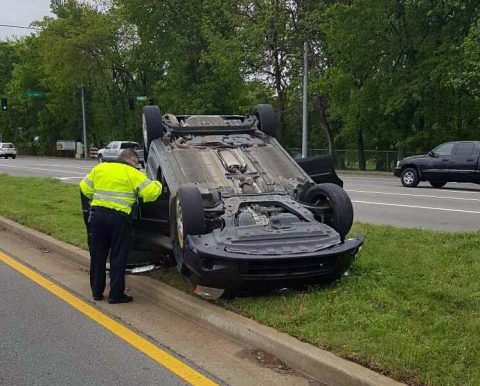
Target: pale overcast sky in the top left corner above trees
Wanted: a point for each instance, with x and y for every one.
(22, 13)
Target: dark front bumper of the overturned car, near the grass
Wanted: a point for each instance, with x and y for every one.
(241, 271)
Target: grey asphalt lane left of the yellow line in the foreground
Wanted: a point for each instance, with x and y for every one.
(47, 342)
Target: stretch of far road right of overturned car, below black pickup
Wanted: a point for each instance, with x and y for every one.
(383, 200)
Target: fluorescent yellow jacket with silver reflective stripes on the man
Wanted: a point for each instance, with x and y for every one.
(117, 186)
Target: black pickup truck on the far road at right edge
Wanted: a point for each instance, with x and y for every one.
(449, 162)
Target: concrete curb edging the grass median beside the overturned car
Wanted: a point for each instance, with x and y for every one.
(303, 357)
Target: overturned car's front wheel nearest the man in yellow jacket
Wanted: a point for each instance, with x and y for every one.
(186, 218)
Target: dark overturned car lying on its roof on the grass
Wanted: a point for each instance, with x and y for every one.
(237, 211)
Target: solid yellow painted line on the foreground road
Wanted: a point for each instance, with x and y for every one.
(158, 355)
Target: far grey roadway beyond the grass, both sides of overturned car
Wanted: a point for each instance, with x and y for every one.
(379, 200)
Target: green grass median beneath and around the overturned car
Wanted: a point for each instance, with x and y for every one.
(409, 307)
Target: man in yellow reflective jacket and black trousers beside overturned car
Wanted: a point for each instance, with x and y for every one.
(113, 188)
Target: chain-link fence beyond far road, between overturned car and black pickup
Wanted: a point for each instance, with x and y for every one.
(375, 160)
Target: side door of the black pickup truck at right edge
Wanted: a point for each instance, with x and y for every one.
(463, 162)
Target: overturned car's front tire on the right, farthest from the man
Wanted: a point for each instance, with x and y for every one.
(339, 214)
